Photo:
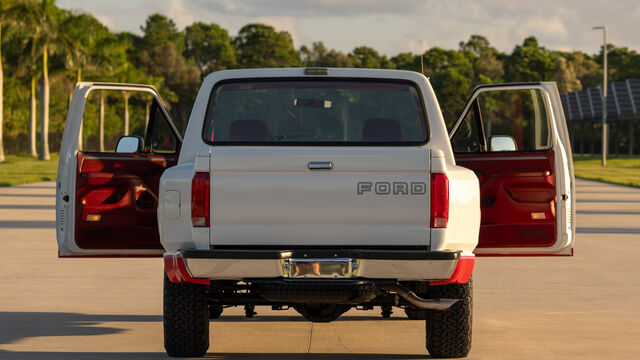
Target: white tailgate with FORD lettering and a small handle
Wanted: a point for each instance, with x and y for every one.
(371, 196)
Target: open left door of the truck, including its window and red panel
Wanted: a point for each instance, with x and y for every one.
(118, 140)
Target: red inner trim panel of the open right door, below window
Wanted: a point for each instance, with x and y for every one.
(512, 187)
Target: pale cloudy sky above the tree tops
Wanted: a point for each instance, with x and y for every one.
(395, 26)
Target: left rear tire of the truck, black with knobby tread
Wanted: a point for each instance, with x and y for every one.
(186, 319)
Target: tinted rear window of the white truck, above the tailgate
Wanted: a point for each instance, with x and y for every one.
(315, 113)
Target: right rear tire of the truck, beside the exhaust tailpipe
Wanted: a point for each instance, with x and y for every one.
(449, 331)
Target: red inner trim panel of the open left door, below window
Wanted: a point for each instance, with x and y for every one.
(123, 190)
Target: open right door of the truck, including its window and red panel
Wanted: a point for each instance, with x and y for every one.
(515, 138)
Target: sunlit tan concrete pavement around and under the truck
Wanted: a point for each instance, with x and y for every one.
(585, 307)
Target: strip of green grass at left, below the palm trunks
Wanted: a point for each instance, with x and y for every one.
(20, 169)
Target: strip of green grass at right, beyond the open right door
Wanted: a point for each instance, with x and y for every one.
(623, 170)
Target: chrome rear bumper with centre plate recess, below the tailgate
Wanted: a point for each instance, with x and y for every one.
(401, 265)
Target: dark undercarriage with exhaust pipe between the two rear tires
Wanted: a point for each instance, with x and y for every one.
(321, 300)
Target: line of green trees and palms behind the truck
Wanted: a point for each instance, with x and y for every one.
(46, 50)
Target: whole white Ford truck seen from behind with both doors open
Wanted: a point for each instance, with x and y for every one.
(323, 190)
